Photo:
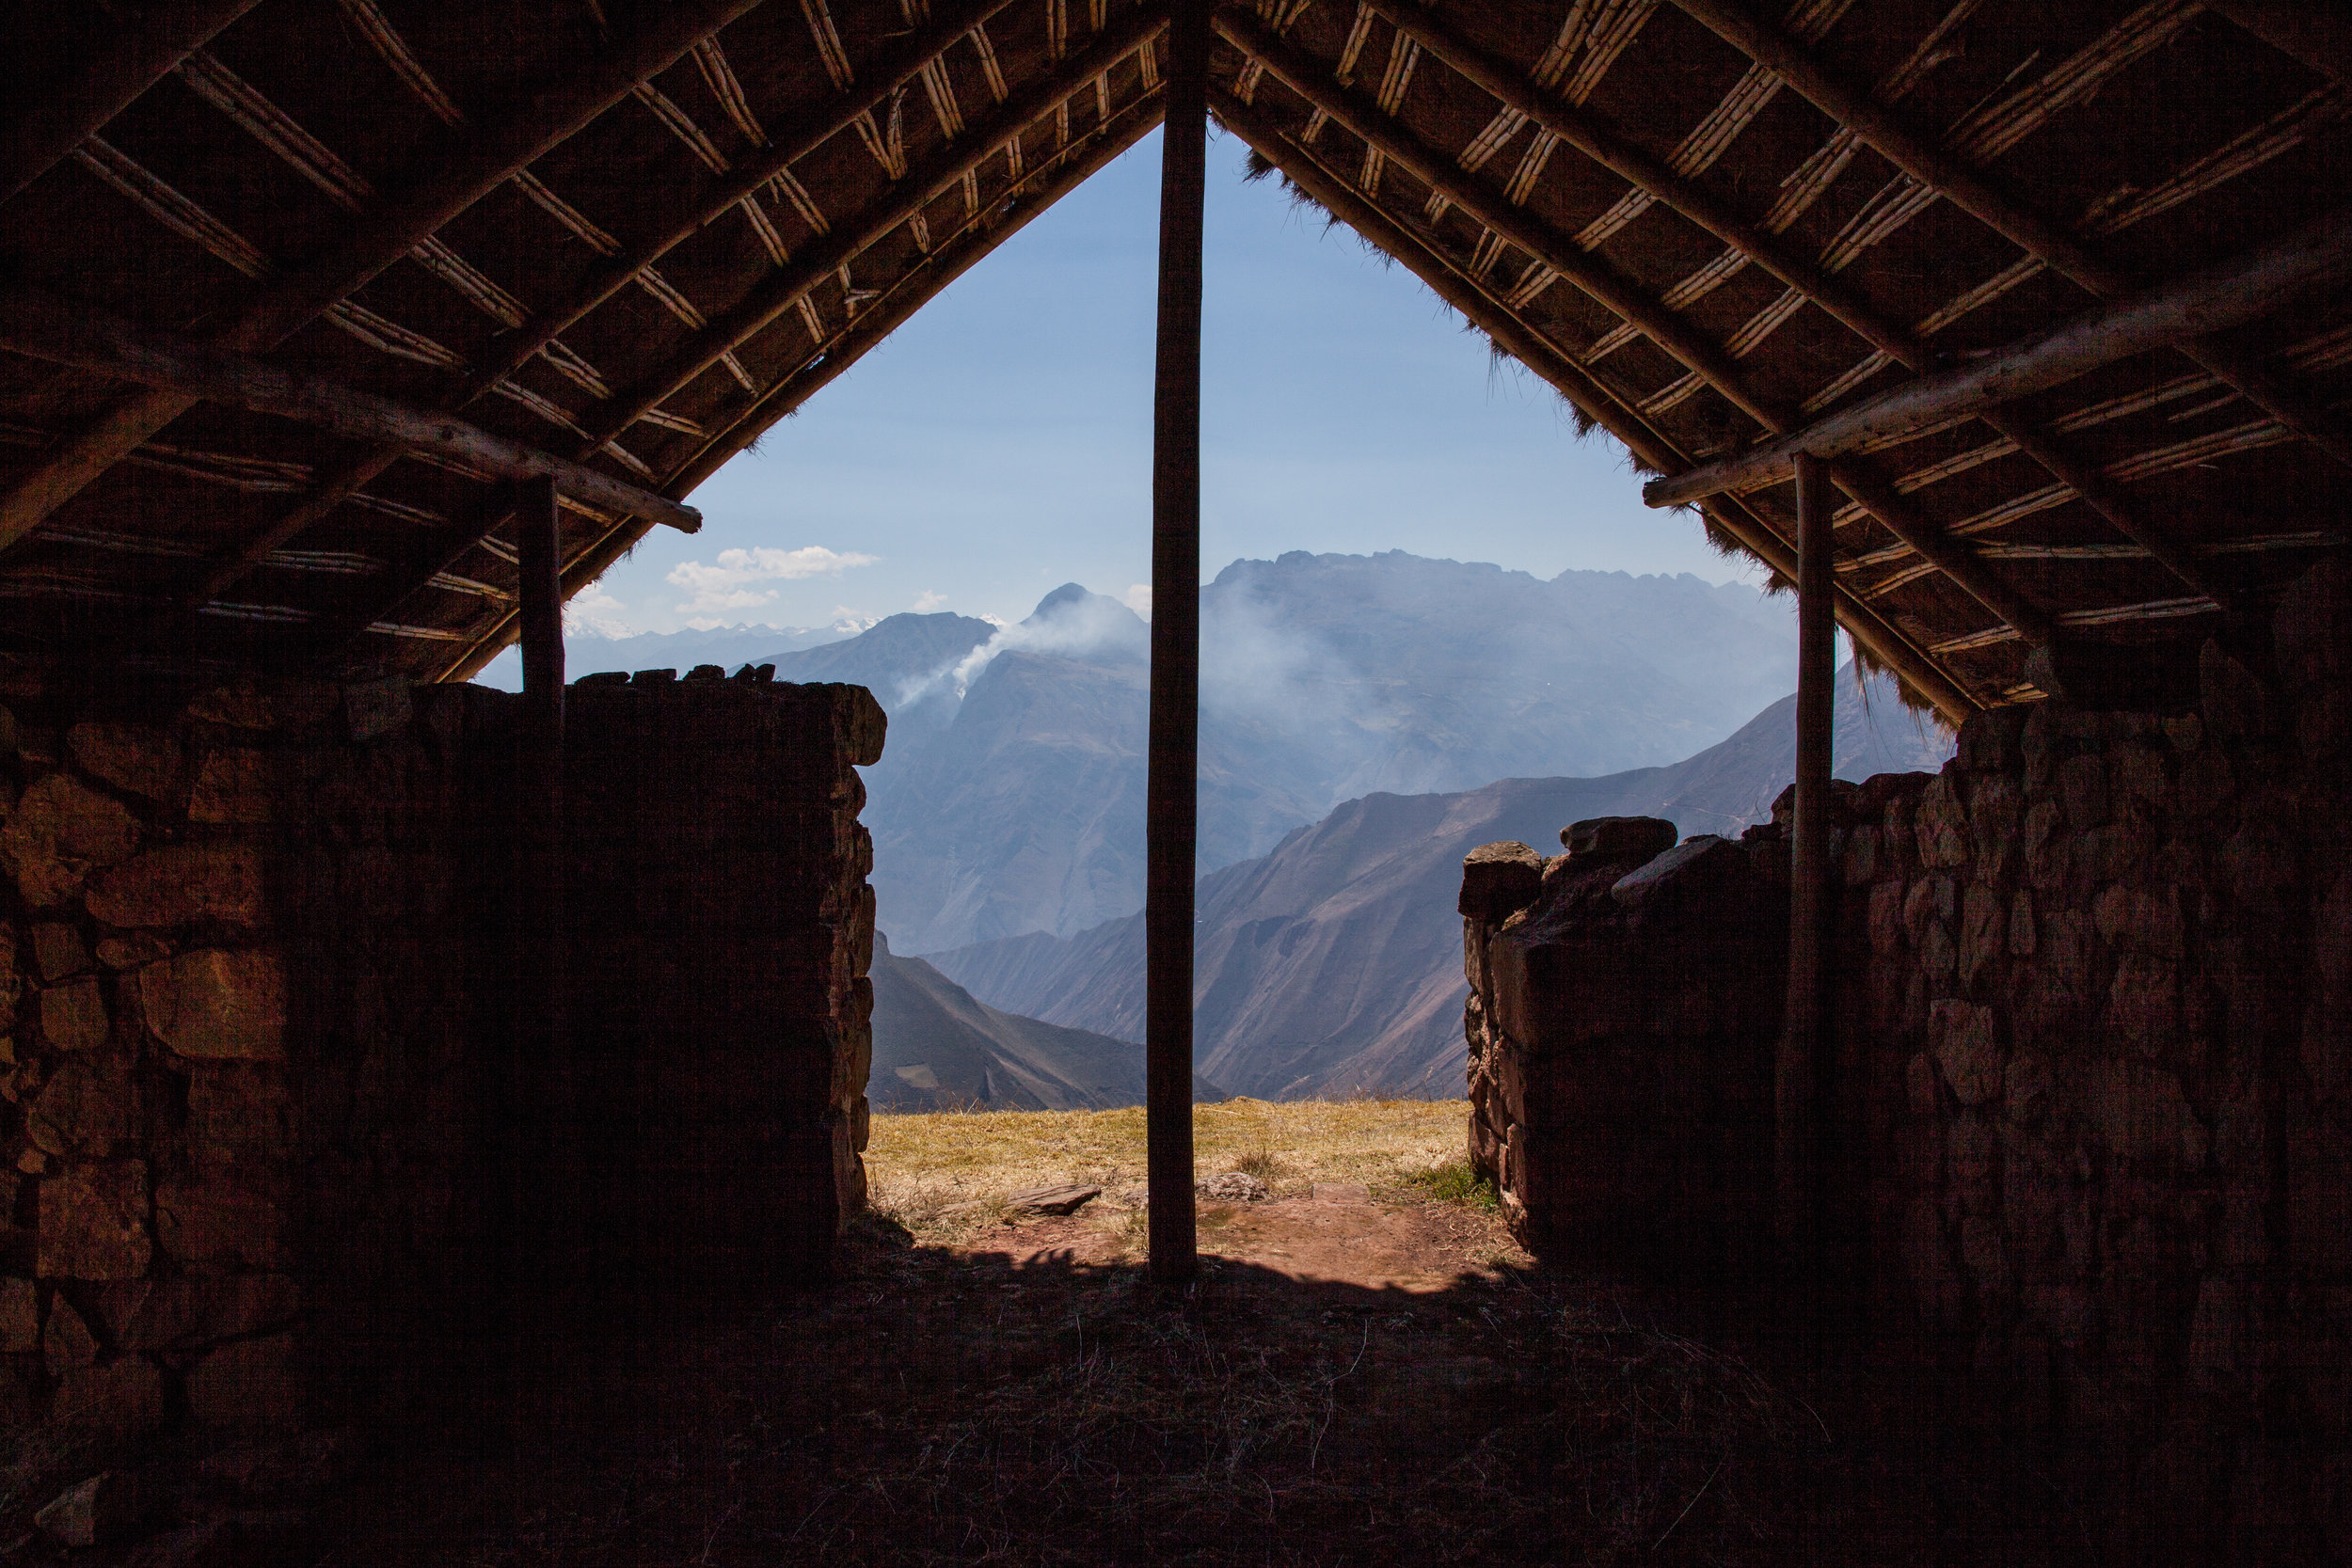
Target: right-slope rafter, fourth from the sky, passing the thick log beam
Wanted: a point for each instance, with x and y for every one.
(1956, 182)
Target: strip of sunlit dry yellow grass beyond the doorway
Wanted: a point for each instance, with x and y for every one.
(947, 1172)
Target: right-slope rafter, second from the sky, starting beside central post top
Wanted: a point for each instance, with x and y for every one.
(1650, 316)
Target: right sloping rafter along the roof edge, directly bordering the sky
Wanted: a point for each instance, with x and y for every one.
(1469, 295)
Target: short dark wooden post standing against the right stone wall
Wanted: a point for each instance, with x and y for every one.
(1810, 883)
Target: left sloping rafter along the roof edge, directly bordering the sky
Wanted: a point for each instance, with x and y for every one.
(843, 351)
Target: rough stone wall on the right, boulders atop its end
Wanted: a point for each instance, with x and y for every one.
(2090, 1115)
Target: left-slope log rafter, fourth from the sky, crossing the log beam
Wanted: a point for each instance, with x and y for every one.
(476, 166)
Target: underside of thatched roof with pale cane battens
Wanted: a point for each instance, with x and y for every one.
(634, 239)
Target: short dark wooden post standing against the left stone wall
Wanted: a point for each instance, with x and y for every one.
(547, 1254)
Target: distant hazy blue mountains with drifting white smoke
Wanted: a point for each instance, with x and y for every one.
(1010, 796)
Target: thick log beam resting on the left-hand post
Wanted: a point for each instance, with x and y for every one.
(46, 328)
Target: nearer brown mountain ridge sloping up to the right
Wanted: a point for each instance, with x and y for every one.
(1332, 965)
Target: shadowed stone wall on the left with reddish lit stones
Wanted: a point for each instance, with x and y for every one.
(258, 1012)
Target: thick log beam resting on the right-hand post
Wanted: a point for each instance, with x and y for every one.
(2219, 300)
